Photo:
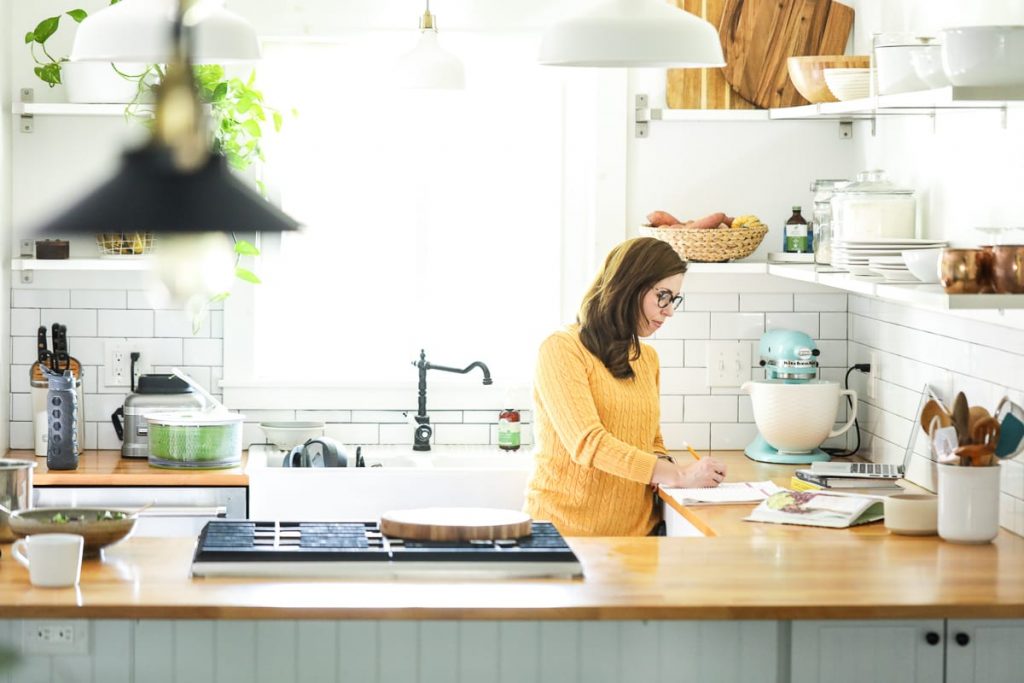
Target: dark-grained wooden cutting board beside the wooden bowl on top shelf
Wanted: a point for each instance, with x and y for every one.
(758, 36)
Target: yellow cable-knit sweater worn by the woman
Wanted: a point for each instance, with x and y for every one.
(596, 440)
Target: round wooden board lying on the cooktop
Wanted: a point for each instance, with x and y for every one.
(455, 525)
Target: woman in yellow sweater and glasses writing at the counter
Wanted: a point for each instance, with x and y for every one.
(596, 400)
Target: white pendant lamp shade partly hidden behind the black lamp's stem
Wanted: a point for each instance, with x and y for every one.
(140, 31)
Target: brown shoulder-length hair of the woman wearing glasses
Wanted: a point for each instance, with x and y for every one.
(610, 315)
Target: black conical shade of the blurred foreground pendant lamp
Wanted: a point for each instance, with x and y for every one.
(150, 194)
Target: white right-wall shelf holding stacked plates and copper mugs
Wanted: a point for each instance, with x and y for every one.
(929, 296)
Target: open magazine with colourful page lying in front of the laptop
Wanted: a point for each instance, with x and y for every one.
(819, 509)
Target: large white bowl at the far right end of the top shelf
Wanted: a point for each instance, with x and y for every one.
(985, 56)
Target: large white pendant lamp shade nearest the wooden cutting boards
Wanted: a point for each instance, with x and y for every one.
(632, 33)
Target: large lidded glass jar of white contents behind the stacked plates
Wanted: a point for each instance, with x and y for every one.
(874, 208)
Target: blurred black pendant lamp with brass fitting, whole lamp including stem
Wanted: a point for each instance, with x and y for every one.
(175, 184)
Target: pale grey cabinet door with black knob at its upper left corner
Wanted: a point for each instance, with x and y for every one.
(987, 652)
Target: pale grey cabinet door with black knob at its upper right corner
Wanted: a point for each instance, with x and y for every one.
(878, 652)
